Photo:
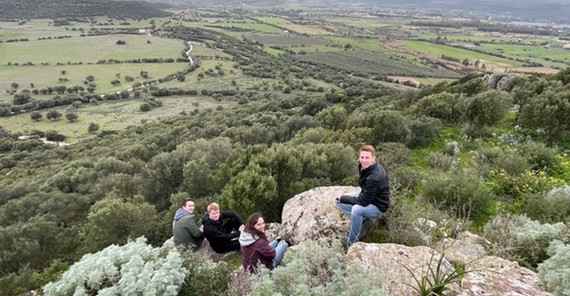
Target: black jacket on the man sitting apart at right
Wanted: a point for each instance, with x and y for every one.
(375, 188)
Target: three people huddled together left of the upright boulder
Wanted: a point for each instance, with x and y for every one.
(226, 232)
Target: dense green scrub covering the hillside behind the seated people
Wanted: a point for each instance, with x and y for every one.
(57, 204)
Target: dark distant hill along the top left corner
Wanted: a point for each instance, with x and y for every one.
(29, 9)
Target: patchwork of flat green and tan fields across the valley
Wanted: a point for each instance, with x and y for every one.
(37, 55)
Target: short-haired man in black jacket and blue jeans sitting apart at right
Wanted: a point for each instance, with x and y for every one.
(372, 200)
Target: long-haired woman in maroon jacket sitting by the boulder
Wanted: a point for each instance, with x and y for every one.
(255, 249)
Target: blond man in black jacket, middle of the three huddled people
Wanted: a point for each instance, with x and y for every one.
(223, 237)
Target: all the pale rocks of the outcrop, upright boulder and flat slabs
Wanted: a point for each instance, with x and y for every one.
(311, 215)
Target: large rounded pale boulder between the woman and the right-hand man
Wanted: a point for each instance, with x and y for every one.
(312, 215)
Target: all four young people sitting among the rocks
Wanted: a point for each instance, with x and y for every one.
(370, 203)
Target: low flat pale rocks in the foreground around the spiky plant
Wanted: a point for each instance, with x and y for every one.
(488, 275)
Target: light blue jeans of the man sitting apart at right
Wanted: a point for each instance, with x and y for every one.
(357, 214)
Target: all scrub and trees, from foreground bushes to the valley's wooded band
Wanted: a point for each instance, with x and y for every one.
(461, 153)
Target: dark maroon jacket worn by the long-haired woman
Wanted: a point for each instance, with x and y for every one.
(255, 250)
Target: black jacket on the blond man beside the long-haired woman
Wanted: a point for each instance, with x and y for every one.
(219, 235)
